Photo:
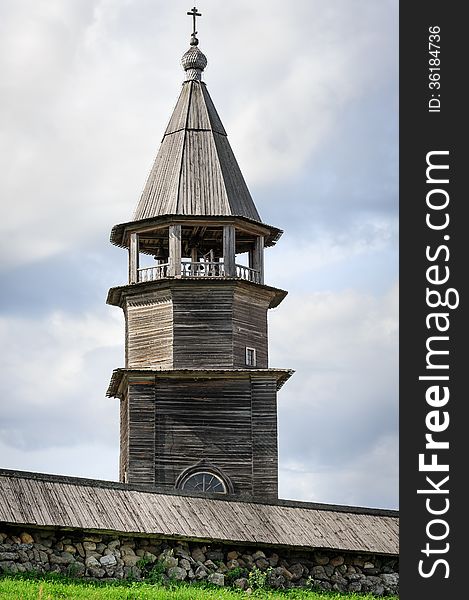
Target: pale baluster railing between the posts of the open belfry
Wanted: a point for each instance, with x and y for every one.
(198, 269)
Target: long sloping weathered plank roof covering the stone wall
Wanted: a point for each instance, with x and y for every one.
(36, 499)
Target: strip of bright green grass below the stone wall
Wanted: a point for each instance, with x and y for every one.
(23, 587)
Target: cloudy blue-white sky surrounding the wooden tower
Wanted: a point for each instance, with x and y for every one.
(308, 95)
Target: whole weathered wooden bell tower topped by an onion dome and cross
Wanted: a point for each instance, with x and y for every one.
(198, 401)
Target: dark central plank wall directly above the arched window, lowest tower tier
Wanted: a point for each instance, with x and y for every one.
(204, 419)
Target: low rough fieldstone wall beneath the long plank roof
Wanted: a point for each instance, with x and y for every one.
(83, 554)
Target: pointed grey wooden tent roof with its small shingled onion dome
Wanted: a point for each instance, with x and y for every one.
(195, 171)
